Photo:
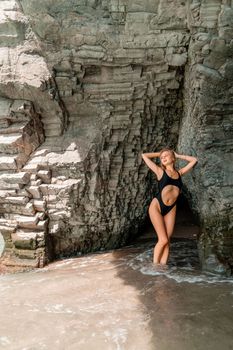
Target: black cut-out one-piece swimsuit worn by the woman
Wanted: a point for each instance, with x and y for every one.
(163, 182)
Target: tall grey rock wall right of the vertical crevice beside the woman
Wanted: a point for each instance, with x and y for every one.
(207, 128)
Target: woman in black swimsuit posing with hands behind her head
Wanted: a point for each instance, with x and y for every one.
(162, 210)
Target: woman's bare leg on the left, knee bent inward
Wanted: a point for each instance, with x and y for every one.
(159, 226)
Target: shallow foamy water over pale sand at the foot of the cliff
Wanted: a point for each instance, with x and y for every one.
(118, 300)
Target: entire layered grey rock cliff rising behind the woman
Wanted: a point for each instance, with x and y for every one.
(106, 81)
